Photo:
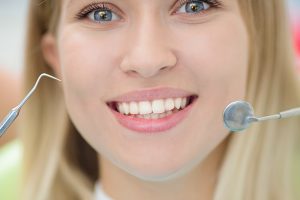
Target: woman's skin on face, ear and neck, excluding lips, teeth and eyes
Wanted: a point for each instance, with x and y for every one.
(151, 44)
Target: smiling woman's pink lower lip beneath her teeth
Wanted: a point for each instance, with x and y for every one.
(146, 126)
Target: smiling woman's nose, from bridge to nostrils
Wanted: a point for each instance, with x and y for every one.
(148, 52)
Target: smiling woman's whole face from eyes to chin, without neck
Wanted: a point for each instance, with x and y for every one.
(136, 54)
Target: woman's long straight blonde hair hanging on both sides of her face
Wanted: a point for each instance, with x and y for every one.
(258, 164)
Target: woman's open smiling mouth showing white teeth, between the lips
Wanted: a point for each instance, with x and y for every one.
(155, 109)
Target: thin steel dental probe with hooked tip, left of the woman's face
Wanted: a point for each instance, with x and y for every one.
(13, 114)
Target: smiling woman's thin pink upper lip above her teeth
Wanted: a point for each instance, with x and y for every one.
(151, 94)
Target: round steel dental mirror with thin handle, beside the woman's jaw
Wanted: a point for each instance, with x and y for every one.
(239, 115)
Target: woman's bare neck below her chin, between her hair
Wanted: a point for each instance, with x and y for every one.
(199, 182)
